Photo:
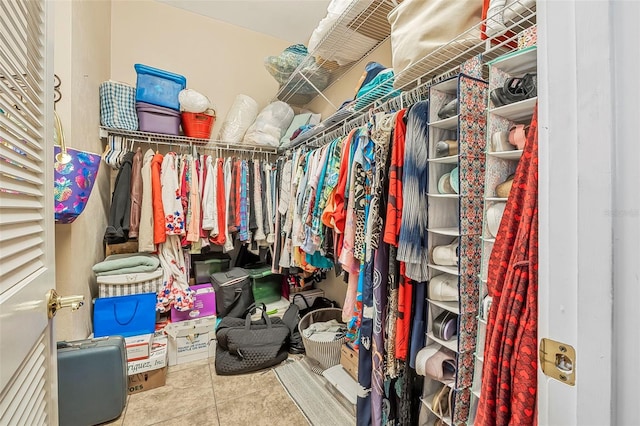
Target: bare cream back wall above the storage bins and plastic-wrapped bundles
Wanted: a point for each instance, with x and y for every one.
(218, 59)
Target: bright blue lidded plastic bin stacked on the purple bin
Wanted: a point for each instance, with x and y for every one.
(158, 87)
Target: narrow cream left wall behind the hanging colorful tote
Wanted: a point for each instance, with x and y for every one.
(82, 61)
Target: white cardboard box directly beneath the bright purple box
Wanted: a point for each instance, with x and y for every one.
(191, 340)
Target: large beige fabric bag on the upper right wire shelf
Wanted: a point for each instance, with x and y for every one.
(418, 27)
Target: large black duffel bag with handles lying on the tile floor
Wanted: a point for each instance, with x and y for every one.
(244, 346)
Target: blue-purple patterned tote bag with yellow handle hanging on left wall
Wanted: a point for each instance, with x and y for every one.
(74, 175)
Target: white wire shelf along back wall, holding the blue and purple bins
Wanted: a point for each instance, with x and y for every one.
(185, 141)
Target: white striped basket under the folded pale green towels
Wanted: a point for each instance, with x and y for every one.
(126, 284)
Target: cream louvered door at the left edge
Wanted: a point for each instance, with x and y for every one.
(27, 367)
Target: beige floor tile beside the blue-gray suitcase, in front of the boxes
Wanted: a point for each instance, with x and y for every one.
(188, 390)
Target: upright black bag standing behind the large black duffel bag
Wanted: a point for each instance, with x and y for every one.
(234, 295)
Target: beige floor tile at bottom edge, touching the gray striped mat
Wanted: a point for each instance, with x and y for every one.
(267, 406)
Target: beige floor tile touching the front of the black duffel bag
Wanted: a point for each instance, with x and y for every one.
(237, 387)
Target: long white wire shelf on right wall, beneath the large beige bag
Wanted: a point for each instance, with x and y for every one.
(433, 68)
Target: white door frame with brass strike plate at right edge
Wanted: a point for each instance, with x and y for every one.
(588, 201)
